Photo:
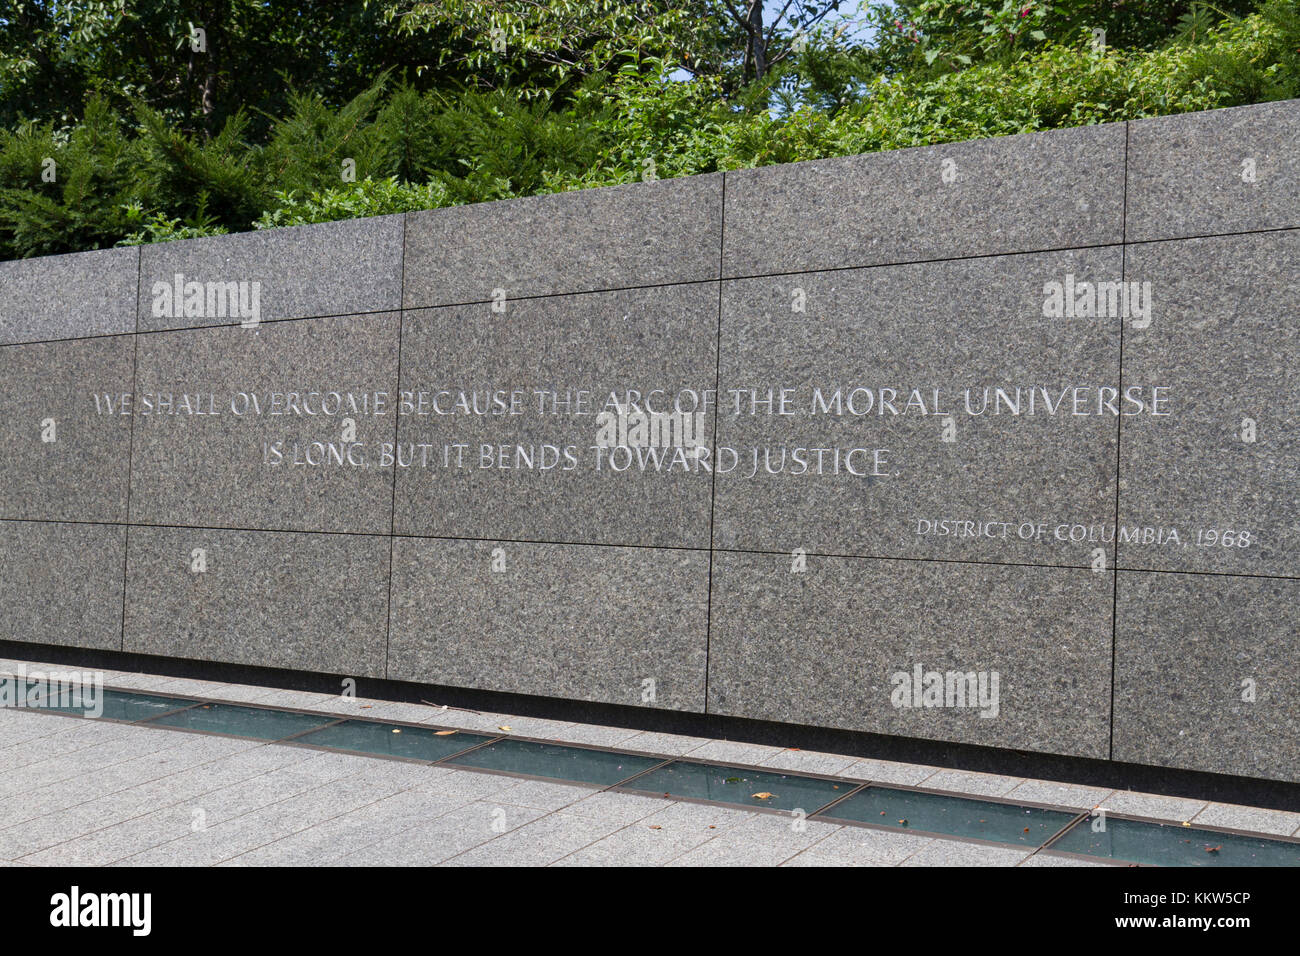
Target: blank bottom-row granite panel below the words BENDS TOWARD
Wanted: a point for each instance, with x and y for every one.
(556, 621)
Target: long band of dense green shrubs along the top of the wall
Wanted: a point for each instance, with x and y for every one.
(135, 175)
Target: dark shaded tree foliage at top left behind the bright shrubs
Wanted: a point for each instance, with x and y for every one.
(54, 54)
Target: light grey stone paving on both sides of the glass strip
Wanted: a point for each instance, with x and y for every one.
(90, 793)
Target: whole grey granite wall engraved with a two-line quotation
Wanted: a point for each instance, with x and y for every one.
(990, 443)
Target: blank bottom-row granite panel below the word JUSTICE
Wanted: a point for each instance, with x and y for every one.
(840, 646)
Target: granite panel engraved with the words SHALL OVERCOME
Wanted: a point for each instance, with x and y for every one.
(246, 429)
